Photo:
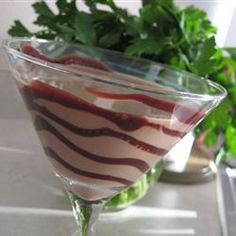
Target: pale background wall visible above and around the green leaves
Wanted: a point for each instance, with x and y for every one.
(222, 13)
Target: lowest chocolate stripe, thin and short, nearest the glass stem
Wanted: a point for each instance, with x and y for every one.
(83, 173)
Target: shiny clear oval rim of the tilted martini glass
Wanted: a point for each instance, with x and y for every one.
(222, 92)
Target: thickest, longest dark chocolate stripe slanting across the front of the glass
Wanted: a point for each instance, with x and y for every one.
(124, 121)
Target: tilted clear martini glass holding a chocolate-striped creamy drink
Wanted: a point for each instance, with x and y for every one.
(104, 119)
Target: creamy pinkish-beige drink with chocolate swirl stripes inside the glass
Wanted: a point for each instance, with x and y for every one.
(99, 139)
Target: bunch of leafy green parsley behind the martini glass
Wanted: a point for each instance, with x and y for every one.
(163, 32)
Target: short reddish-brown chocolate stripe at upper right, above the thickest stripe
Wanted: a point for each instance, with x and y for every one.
(184, 114)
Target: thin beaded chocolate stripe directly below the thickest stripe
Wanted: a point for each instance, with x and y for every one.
(98, 132)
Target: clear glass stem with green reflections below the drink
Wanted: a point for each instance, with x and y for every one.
(86, 213)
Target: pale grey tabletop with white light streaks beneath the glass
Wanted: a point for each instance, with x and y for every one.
(32, 201)
